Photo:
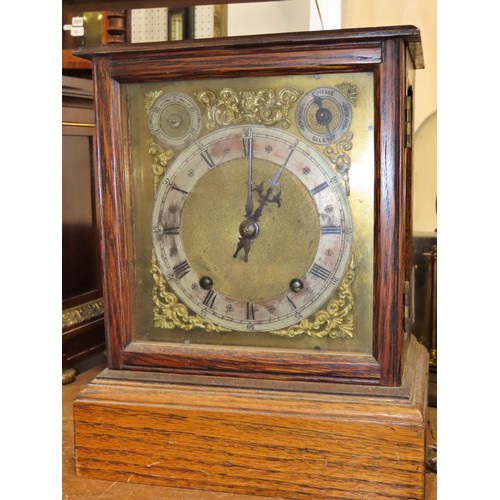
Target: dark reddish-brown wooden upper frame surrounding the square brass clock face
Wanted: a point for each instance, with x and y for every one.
(392, 54)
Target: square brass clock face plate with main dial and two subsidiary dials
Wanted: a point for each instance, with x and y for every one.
(250, 233)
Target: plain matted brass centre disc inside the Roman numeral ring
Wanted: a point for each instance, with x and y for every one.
(284, 240)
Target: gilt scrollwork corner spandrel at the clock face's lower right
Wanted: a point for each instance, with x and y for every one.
(335, 320)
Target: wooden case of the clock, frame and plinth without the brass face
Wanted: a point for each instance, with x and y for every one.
(250, 421)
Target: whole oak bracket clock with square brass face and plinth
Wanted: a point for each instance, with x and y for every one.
(255, 197)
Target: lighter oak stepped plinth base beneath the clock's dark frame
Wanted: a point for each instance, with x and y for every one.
(149, 428)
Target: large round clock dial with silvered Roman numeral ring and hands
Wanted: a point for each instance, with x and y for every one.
(252, 228)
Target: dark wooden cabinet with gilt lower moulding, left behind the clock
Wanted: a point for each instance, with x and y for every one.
(82, 304)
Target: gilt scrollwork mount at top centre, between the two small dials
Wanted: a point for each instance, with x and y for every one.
(265, 107)
